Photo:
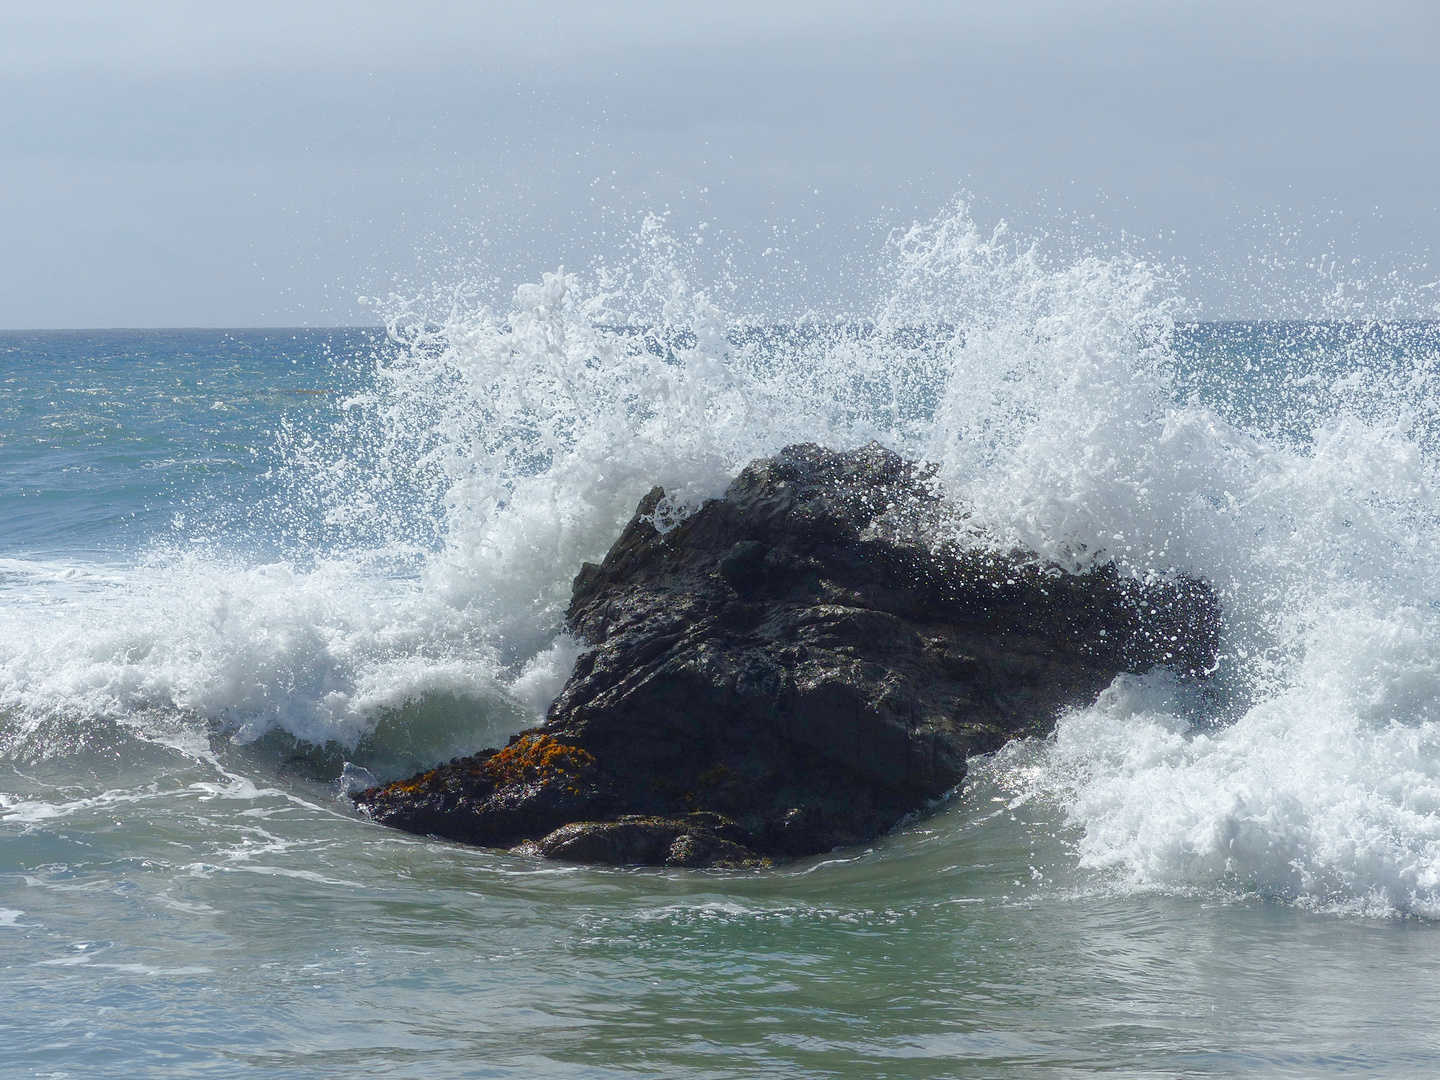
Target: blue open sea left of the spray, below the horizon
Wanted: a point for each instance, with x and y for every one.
(107, 436)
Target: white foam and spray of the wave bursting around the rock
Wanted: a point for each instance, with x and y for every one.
(500, 449)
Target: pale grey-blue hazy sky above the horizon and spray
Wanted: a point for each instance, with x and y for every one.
(267, 165)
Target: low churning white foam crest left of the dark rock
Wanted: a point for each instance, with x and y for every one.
(320, 652)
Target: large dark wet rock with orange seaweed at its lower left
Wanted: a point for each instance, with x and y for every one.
(796, 669)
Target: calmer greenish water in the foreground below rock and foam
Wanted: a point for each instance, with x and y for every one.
(185, 914)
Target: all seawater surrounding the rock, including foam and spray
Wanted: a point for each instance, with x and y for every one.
(243, 572)
